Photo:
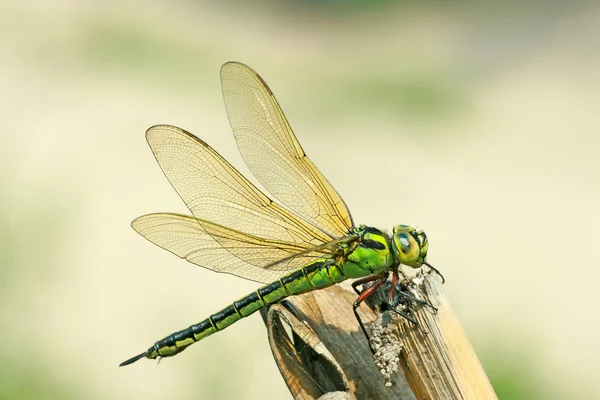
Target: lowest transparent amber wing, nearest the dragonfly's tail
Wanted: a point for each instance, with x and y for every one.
(226, 250)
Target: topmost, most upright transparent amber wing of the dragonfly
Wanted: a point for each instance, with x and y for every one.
(273, 153)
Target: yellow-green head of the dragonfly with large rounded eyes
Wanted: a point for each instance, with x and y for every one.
(409, 246)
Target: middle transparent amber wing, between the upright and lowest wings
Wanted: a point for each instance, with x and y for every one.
(215, 191)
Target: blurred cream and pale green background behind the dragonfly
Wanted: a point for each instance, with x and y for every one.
(477, 121)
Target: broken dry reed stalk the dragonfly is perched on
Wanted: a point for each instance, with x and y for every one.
(322, 354)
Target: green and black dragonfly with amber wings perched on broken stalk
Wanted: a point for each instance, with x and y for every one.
(309, 244)
